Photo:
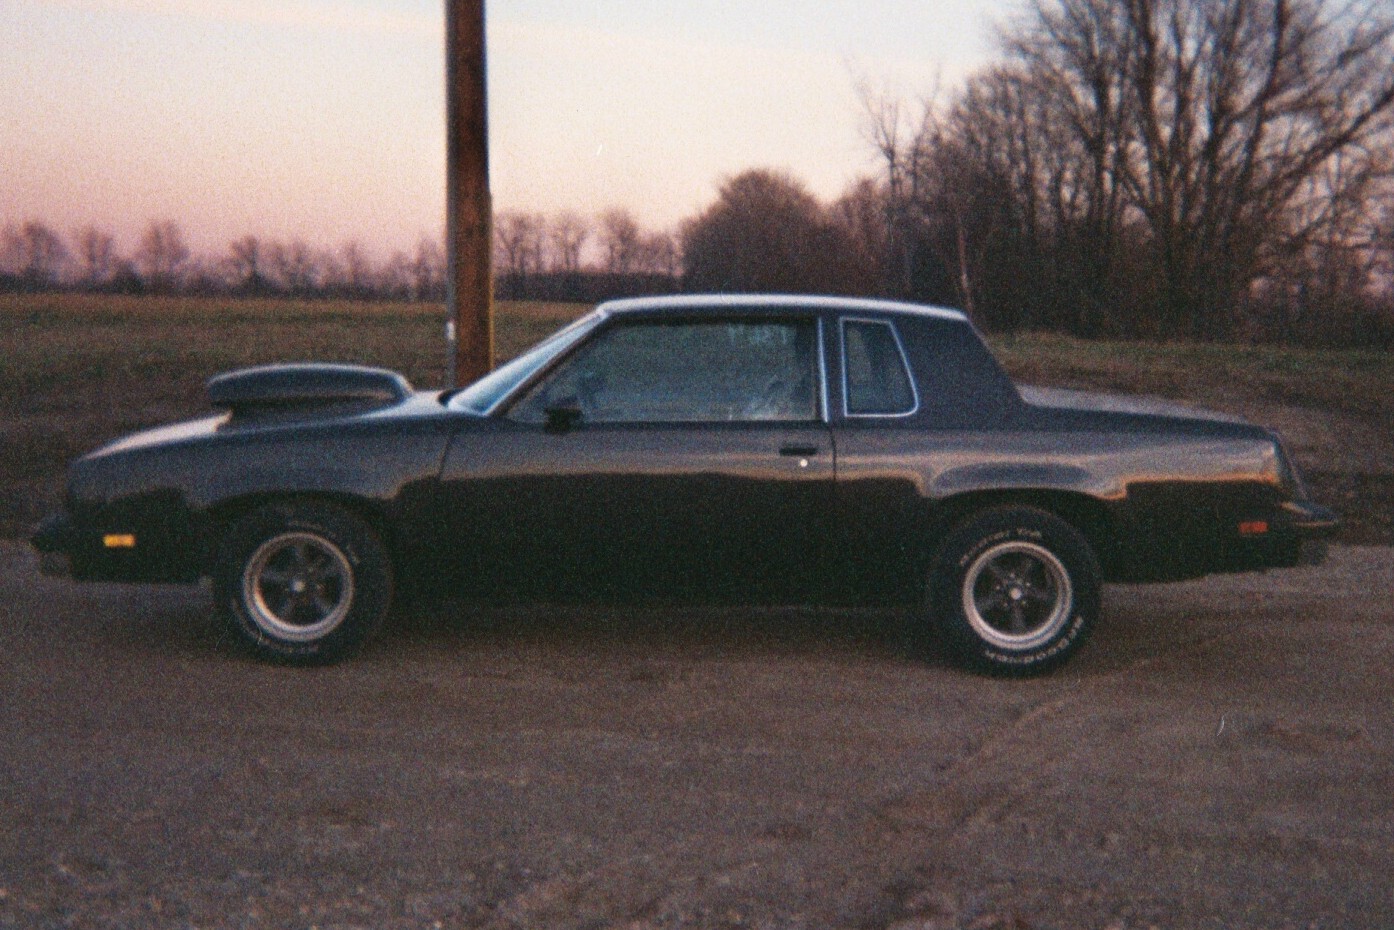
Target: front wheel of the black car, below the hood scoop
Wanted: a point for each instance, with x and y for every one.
(303, 584)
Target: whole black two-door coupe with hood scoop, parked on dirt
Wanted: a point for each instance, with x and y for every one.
(734, 448)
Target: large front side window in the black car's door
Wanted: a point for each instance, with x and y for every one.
(687, 373)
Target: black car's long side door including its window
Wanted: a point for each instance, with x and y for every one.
(663, 457)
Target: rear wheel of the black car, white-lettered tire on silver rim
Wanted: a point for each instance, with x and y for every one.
(1014, 590)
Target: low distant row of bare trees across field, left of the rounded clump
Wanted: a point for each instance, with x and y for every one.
(567, 257)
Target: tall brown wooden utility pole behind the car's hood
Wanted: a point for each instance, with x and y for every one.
(469, 206)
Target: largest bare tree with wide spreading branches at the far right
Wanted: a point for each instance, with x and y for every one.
(1236, 112)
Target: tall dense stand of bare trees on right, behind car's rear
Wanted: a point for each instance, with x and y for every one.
(1202, 169)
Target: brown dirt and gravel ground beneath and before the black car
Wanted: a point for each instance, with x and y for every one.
(1220, 756)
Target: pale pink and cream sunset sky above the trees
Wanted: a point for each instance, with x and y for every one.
(324, 119)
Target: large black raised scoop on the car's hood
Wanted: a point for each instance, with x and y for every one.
(296, 390)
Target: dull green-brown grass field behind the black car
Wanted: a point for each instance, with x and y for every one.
(80, 370)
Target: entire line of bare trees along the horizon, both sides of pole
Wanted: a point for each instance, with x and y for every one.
(1179, 169)
